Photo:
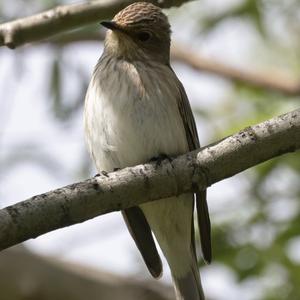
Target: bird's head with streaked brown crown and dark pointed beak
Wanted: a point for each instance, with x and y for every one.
(140, 31)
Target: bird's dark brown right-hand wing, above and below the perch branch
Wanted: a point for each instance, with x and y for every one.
(193, 142)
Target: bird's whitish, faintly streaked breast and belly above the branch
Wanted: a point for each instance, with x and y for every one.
(132, 115)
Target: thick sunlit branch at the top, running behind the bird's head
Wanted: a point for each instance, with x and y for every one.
(62, 18)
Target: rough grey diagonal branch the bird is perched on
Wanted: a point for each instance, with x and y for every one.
(132, 186)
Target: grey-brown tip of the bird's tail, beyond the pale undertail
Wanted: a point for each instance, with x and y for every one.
(188, 287)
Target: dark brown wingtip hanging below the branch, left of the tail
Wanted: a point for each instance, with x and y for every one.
(141, 233)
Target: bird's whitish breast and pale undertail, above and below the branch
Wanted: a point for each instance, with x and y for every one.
(132, 116)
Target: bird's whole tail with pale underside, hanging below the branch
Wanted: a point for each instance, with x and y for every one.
(171, 220)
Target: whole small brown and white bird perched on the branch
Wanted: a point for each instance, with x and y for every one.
(136, 109)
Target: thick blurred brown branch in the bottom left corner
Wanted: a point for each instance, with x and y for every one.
(25, 275)
